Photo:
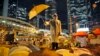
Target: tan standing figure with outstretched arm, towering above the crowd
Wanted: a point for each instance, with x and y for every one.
(55, 28)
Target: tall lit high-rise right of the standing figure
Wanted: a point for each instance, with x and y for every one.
(78, 12)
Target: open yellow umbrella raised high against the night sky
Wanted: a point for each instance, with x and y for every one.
(36, 10)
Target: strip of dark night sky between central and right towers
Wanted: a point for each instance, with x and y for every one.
(61, 7)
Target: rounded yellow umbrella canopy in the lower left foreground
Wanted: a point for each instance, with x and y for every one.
(19, 51)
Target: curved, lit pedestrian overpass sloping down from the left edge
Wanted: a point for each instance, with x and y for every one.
(13, 23)
